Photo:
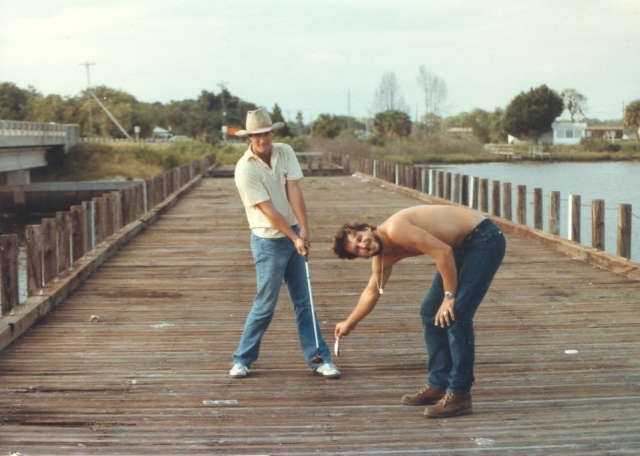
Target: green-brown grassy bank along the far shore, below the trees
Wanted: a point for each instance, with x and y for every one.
(95, 161)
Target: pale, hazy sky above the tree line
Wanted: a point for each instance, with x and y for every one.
(327, 56)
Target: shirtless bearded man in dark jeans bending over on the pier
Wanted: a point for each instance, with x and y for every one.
(468, 249)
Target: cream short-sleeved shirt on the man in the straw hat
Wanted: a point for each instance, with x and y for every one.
(257, 183)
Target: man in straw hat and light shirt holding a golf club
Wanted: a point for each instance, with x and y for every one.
(267, 177)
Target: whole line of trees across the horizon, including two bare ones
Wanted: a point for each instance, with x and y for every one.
(527, 116)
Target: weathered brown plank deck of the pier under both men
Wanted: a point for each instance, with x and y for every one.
(557, 368)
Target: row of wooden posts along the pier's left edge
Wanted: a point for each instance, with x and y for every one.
(63, 244)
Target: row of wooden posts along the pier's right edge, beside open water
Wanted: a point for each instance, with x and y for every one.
(495, 199)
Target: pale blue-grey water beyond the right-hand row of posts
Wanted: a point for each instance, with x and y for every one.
(614, 182)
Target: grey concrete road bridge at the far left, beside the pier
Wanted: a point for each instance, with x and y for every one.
(28, 145)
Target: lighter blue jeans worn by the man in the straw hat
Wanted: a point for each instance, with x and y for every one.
(277, 260)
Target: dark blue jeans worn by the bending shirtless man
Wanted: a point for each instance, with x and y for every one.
(451, 350)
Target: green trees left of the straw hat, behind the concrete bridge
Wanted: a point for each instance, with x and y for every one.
(201, 118)
